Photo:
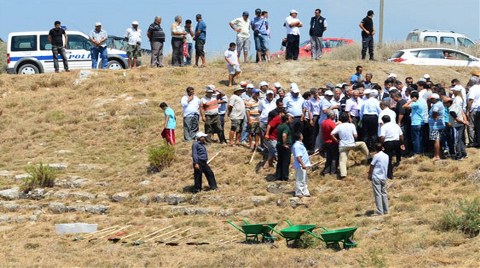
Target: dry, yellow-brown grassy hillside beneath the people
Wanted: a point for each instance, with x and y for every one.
(97, 134)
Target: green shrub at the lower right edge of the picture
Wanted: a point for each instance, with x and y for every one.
(463, 217)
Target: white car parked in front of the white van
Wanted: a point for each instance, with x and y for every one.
(434, 56)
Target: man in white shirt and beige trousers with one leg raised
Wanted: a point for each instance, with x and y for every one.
(345, 134)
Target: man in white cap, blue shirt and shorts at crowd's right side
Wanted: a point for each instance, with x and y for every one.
(436, 123)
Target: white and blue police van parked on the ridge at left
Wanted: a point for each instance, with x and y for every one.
(31, 53)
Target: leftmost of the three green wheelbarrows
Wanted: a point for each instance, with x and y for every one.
(253, 231)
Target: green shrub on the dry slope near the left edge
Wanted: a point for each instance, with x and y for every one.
(40, 176)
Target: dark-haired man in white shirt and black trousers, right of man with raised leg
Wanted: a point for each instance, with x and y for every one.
(391, 136)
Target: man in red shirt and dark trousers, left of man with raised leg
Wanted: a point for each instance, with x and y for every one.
(331, 147)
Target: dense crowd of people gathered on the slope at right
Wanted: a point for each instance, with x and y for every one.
(399, 119)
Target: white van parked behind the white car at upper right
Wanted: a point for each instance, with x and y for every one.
(439, 38)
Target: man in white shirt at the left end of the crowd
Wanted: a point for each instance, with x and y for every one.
(191, 105)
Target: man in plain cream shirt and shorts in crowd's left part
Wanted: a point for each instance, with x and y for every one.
(236, 112)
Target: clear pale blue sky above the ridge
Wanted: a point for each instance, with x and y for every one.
(343, 17)
